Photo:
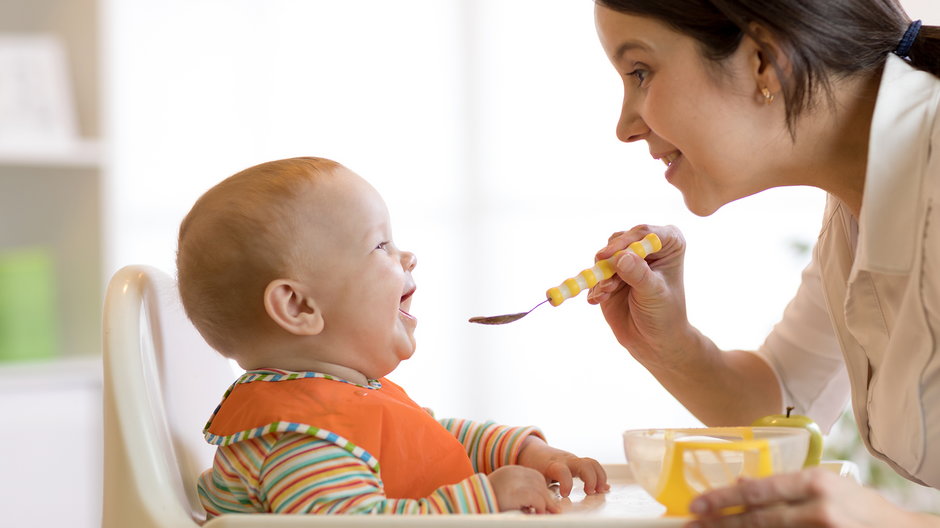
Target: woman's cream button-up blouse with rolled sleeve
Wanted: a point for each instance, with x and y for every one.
(865, 322)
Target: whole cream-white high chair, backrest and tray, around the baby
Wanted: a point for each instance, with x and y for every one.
(161, 382)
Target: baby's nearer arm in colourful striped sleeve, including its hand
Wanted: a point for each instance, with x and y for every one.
(297, 473)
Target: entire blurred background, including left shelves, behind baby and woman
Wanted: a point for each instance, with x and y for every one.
(488, 126)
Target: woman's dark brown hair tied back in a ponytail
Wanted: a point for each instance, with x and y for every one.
(823, 39)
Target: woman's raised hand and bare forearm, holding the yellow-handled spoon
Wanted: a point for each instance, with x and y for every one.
(644, 304)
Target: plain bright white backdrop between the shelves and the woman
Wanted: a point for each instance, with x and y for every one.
(489, 128)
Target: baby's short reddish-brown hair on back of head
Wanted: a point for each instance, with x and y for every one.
(236, 240)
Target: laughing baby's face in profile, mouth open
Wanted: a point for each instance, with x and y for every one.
(361, 281)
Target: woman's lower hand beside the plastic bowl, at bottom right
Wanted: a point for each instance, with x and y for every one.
(814, 497)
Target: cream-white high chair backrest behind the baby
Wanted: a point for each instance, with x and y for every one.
(161, 383)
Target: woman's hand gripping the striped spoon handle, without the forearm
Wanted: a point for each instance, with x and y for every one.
(644, 303)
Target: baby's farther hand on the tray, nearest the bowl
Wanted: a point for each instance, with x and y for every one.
(562, 466)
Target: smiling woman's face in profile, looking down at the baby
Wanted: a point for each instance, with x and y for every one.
(707, 122)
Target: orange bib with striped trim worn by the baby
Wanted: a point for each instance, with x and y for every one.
(408, 449)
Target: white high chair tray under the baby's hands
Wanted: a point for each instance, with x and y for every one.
(626, 505)
